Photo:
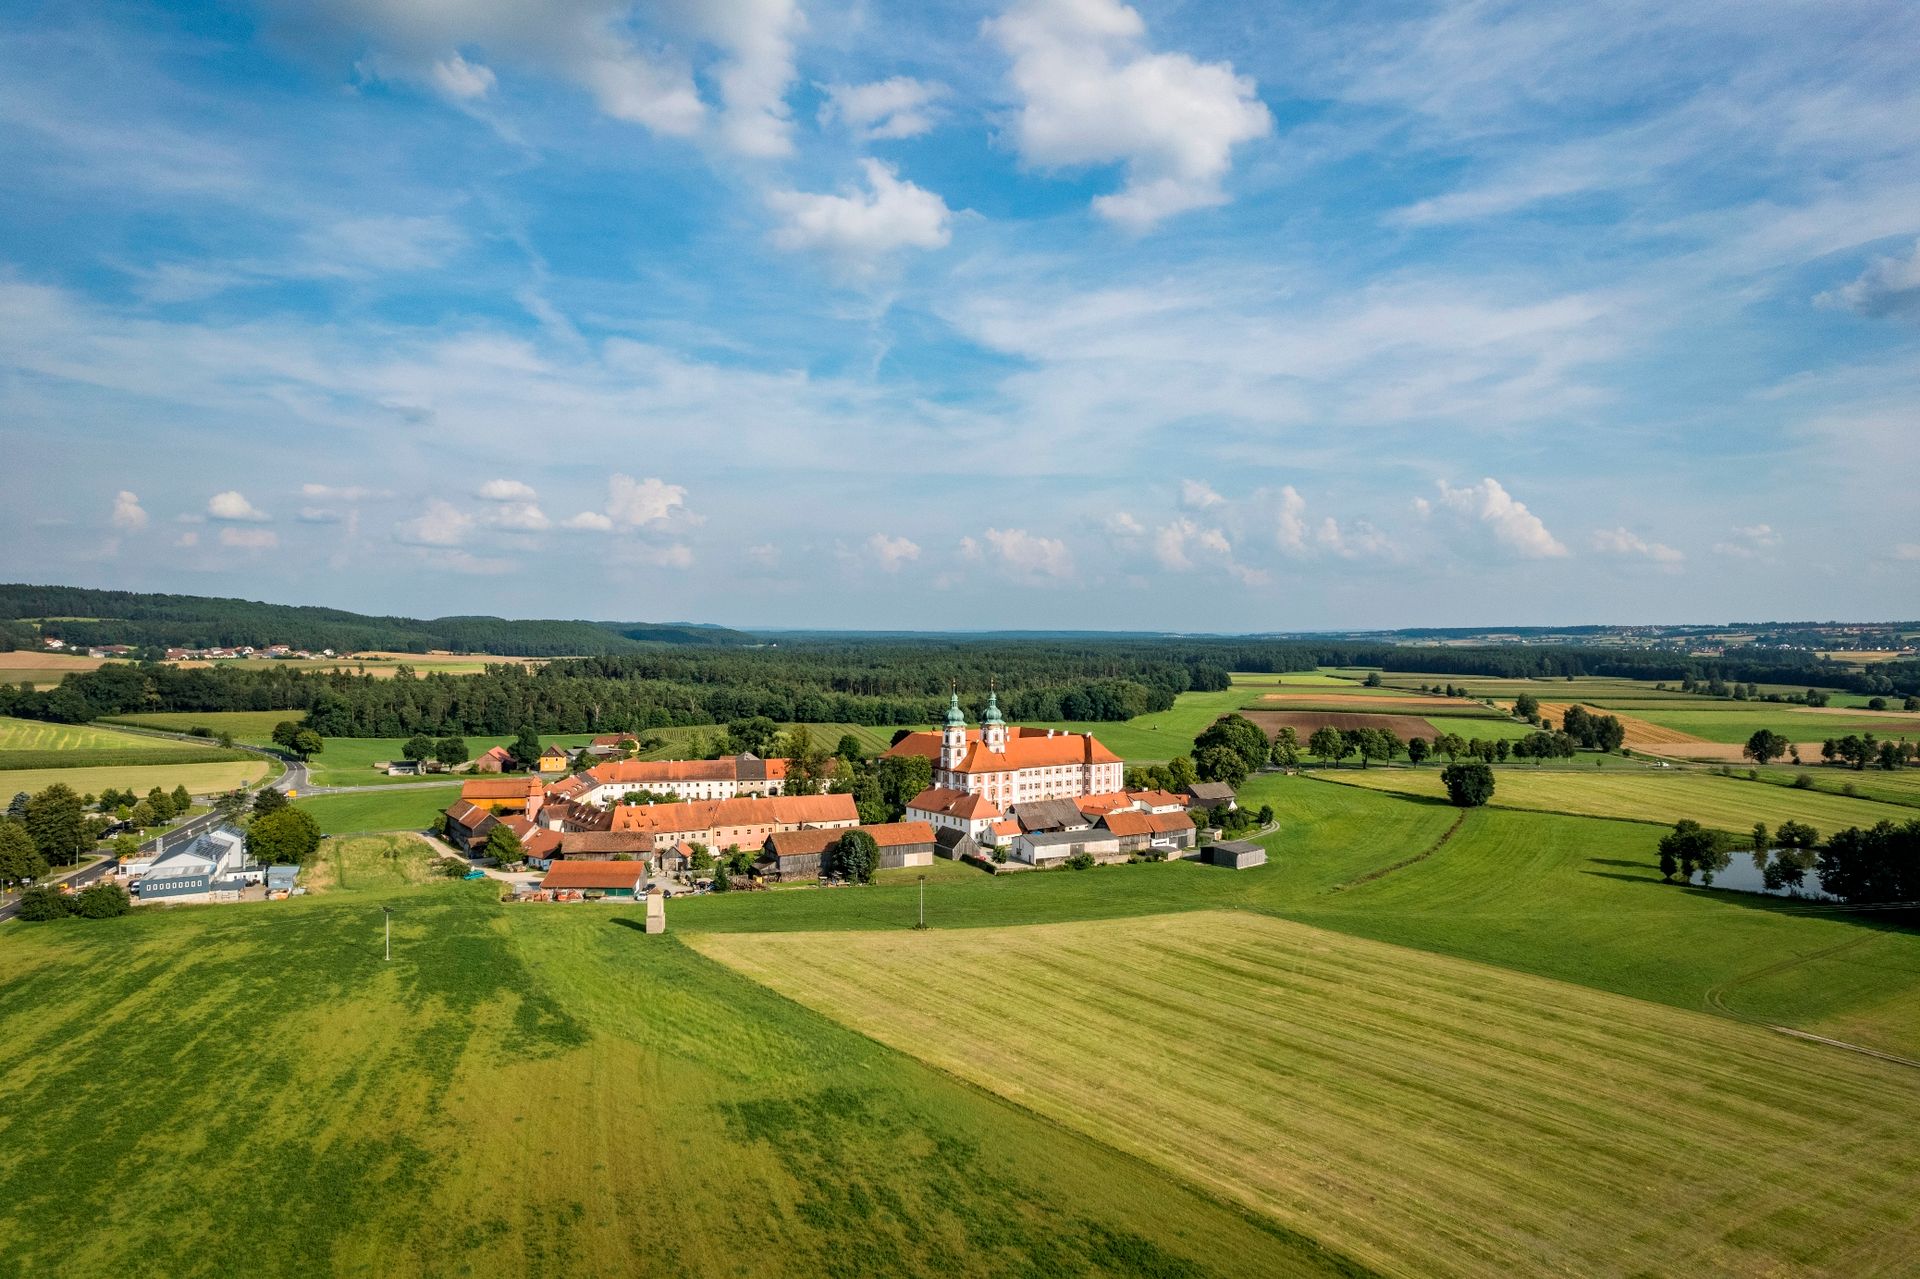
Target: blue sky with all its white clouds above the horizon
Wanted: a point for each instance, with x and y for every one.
(932, 316)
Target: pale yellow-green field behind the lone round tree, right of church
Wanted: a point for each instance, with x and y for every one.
(1646, 796)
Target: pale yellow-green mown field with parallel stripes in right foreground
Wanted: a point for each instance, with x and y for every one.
(1418, 1113)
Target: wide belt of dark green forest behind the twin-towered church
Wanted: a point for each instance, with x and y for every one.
(873, 681)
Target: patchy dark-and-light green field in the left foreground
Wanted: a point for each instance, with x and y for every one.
(525, 1092)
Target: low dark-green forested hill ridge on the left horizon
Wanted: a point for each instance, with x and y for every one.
(89, 617)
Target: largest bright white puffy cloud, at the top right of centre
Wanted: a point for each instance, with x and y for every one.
(1092, 93)
